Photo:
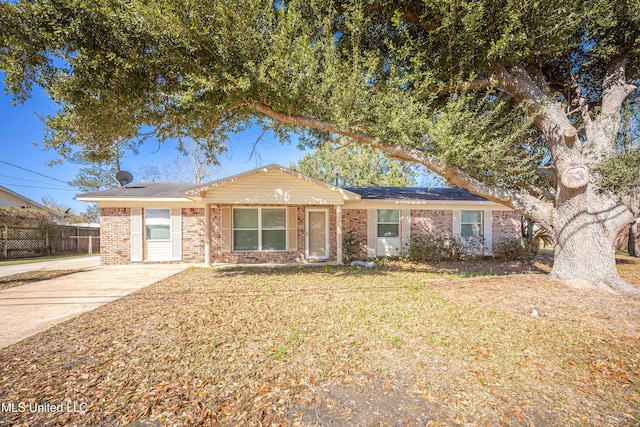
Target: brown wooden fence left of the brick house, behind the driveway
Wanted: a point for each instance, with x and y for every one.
(25, 240)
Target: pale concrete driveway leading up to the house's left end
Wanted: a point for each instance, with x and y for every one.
(29, 309)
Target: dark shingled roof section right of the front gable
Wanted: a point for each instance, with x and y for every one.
(416, 193)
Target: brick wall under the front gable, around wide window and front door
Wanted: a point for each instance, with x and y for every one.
(217, 256)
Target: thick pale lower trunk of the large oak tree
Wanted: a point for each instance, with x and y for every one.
(587, 226)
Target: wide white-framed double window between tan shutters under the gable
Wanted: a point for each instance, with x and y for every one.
(259, 229)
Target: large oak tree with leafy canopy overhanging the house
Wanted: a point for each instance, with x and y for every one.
(518, 101)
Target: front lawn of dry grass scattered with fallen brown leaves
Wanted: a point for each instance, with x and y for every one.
(401, 345)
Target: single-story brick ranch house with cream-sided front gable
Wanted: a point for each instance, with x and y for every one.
(275, 215)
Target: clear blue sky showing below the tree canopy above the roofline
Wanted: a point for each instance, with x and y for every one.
(21, 134)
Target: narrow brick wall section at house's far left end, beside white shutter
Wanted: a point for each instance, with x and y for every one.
(115, 236)
